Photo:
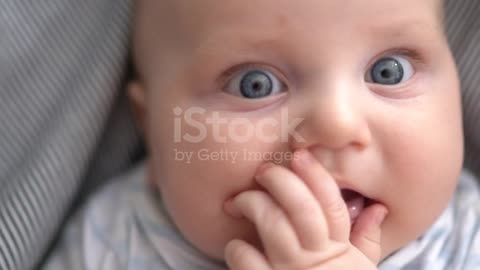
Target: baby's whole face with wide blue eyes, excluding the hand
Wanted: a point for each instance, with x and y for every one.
(369, 87)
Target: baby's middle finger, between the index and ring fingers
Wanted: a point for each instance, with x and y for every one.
(301, 207)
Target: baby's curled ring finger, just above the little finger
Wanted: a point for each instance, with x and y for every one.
(275, 231)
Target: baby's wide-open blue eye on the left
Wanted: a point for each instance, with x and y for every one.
(254, 84)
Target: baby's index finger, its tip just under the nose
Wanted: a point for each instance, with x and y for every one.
(327, 193)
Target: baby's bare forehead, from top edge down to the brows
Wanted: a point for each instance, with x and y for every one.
(176, 24)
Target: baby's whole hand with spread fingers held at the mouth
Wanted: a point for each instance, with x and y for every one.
(303, 223)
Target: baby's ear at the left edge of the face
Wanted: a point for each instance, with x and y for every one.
(136, 94)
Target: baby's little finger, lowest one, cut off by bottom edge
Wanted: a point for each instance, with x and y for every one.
(239, 255)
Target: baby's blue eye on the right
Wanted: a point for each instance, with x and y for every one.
(390, 70)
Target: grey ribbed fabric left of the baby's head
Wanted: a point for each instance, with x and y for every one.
(61, 67)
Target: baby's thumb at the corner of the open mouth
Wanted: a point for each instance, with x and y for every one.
(366, 232)
